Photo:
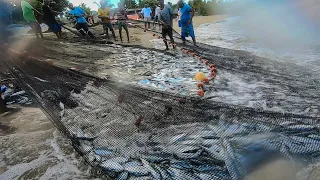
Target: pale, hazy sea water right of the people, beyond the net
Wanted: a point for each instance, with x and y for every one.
(239, 34)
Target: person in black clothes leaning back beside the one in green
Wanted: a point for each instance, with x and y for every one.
(50, 20)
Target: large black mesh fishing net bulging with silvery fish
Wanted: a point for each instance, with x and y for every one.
(125, 131)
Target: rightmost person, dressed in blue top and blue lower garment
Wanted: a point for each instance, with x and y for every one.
(187, 14)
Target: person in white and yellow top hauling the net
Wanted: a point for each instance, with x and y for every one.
(103, 14)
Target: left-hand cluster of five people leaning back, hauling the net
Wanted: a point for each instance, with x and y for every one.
(49, 18)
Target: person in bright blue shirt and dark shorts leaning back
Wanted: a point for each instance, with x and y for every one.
(82, 25)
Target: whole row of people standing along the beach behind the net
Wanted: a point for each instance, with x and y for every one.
(163, 15)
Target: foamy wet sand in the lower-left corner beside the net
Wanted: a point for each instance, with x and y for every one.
(34, 149)
